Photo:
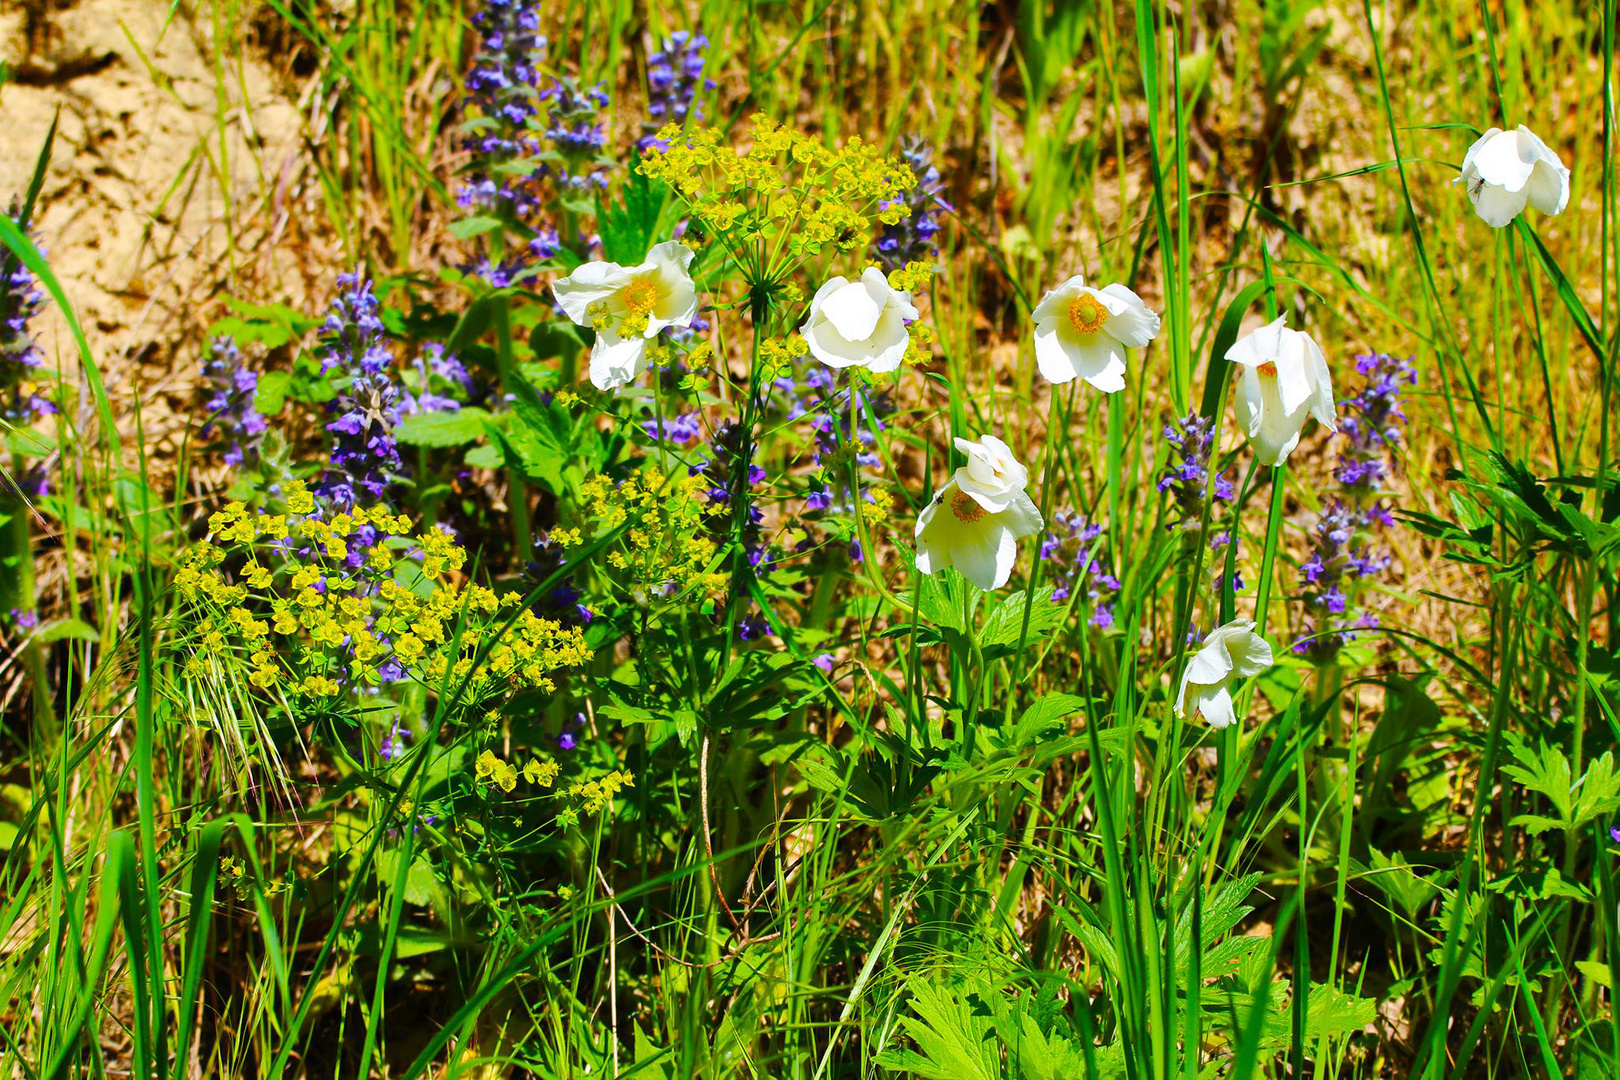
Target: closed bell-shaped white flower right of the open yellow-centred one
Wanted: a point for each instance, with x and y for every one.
(1284, 381)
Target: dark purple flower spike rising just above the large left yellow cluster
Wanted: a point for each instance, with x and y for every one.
(365, 457)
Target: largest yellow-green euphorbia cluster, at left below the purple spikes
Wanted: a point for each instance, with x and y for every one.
(320, 605)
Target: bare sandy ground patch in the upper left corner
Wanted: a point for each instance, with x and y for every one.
(174, 176)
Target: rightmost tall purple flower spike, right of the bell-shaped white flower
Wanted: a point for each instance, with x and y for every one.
(1342, 543)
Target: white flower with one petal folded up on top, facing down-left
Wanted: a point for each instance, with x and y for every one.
(976, 521)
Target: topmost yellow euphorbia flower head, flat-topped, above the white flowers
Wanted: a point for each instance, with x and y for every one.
(785, 187)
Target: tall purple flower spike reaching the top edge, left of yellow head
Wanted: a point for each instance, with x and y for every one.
(505, 91)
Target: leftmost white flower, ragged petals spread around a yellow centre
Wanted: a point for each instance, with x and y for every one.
(628, 307)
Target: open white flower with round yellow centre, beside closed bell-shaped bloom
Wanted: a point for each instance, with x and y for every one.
(1083, 333)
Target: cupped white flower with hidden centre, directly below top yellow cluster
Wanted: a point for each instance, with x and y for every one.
(859, 325)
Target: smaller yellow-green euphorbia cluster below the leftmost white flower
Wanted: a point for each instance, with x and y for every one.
(665, 546)
